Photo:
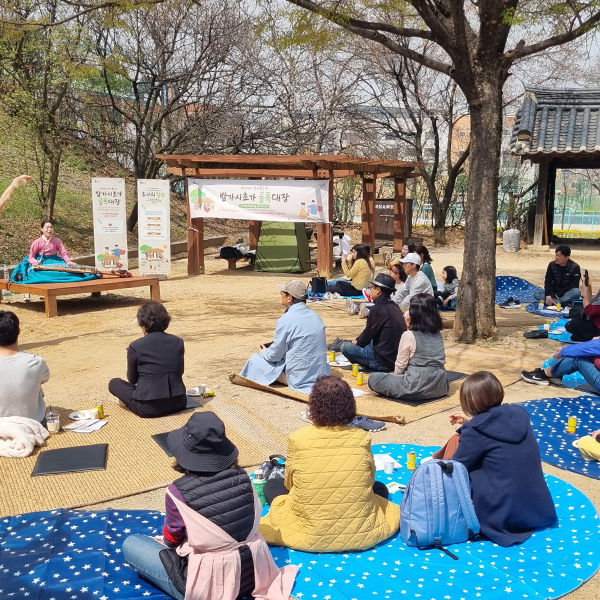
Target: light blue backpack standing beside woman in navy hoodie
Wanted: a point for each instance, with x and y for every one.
(437, 509)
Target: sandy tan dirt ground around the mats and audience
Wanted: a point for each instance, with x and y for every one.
(224, 315)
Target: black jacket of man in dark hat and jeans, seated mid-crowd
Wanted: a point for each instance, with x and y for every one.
(385, 326)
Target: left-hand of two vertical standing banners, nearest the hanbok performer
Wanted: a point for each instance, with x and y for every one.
(110, 223)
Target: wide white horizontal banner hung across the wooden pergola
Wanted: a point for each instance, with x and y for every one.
(264, 200)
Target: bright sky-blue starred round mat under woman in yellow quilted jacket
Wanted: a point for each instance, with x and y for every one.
(551, 563)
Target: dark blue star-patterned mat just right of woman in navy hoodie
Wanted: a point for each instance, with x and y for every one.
(549, 421)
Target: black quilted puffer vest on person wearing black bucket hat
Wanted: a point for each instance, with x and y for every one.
(227, 500)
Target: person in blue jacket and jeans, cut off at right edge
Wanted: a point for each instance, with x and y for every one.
(567, 360)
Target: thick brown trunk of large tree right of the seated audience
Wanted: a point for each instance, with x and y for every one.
(475, 316)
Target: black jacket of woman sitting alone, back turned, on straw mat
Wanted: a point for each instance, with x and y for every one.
(155, 364)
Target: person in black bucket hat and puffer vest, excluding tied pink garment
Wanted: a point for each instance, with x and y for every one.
(216, 488)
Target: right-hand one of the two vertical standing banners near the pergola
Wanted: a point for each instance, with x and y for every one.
(154, 226)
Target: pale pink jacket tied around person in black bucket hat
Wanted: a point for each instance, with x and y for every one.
(214, 561)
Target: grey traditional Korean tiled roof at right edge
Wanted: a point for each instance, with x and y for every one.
(559, 122)
